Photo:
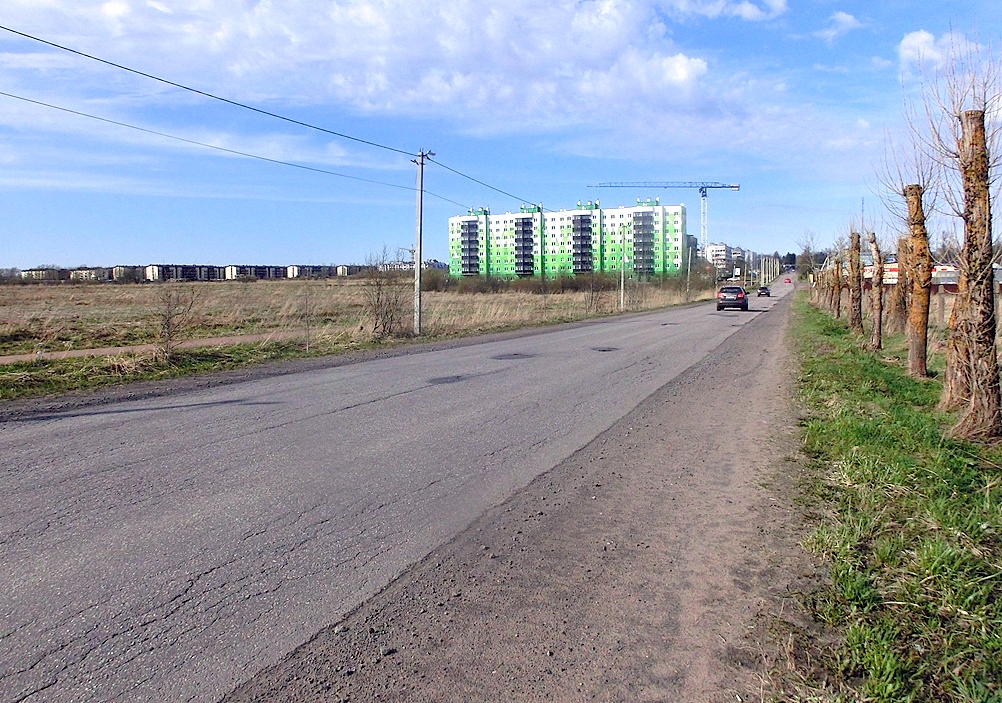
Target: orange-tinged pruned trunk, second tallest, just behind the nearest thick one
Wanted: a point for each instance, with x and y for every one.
(920, 274)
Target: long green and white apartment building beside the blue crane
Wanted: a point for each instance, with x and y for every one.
(647, 240)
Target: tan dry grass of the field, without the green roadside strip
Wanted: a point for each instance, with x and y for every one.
(61, 318)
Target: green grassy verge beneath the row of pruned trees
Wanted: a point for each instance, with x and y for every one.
(910, 528)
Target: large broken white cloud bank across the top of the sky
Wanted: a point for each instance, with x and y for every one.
(607, 72)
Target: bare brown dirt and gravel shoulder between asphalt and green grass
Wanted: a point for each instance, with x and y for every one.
(646, 567)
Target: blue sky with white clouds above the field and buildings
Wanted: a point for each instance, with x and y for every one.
(541, 100)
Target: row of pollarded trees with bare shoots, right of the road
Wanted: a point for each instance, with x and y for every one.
(949, 158)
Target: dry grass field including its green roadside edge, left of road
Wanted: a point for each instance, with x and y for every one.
(42, 319)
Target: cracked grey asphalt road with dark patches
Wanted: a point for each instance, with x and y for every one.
(169, 549)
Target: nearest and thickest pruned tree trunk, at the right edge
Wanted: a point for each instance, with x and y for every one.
(983, 418)
